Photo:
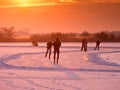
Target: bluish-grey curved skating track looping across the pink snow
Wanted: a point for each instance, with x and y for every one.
(93, 57)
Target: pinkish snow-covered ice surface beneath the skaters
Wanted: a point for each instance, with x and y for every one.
(24, 67)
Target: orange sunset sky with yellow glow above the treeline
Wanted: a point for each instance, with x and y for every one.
(46, 16)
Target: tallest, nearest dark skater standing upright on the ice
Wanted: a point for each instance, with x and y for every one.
(57, 45)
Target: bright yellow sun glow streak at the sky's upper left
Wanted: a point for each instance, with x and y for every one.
(33, 3)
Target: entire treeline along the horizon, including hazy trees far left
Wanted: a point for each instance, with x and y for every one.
(9, 34)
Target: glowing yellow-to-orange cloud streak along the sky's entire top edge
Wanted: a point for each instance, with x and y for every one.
(35, 3)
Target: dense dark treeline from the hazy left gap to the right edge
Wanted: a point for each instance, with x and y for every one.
(78, 37)
